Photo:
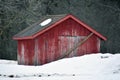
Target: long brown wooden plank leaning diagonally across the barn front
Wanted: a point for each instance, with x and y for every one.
(76, 46)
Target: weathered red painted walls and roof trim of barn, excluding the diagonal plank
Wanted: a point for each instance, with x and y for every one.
(51, 43)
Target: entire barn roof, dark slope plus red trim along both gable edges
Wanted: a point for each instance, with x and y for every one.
(37, 29)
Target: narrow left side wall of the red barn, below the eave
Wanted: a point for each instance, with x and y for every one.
(26, 52)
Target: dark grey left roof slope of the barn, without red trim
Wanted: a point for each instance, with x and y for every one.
(35, 28)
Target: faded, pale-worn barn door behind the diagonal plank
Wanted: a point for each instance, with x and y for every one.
(68, 42)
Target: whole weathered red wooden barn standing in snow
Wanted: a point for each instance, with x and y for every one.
(55, 37)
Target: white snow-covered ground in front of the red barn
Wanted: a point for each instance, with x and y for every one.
(88, 67)
